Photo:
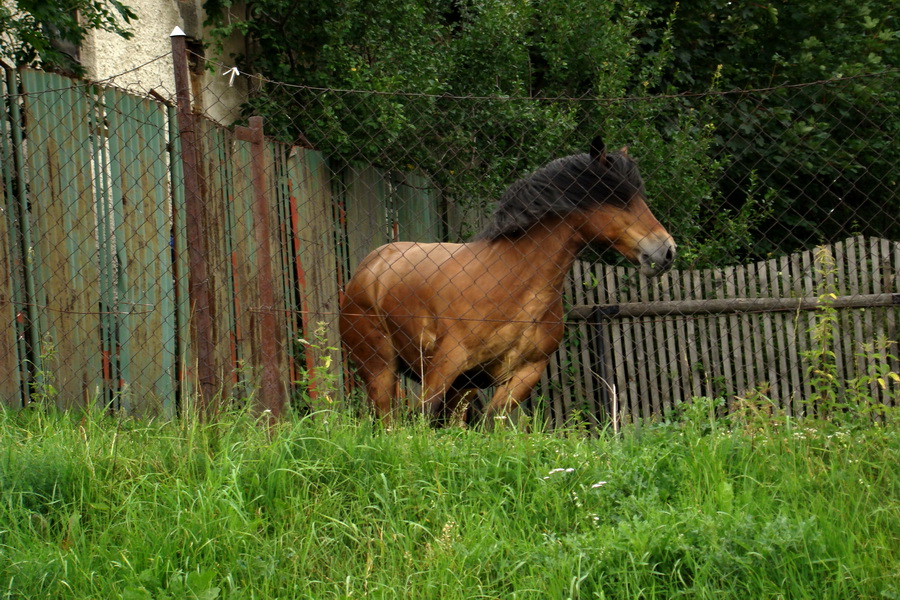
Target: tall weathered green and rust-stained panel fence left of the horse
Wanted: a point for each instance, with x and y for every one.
(94, 270)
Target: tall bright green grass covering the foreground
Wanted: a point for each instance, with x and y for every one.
(331, 507)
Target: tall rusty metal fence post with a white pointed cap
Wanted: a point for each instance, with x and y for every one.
(196, 244)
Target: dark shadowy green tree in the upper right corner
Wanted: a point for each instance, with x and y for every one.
(825, 154)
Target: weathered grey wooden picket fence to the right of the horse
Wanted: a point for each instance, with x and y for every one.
(638, 347)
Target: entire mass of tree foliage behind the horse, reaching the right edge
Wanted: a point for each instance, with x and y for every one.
(492, 88)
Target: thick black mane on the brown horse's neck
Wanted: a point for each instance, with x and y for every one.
(566, 185)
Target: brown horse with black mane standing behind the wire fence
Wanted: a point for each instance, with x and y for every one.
(489, 312)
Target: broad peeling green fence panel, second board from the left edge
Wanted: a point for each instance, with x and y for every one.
(57, 115)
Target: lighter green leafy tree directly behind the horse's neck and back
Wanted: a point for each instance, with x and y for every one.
(488, 89)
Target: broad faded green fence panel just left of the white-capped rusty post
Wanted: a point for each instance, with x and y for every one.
(145, 293)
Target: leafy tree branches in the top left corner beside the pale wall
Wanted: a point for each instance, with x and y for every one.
(36, 32)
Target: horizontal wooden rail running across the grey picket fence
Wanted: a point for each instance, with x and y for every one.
(728, 306)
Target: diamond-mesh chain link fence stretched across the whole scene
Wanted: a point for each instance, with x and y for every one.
(137, 285)
